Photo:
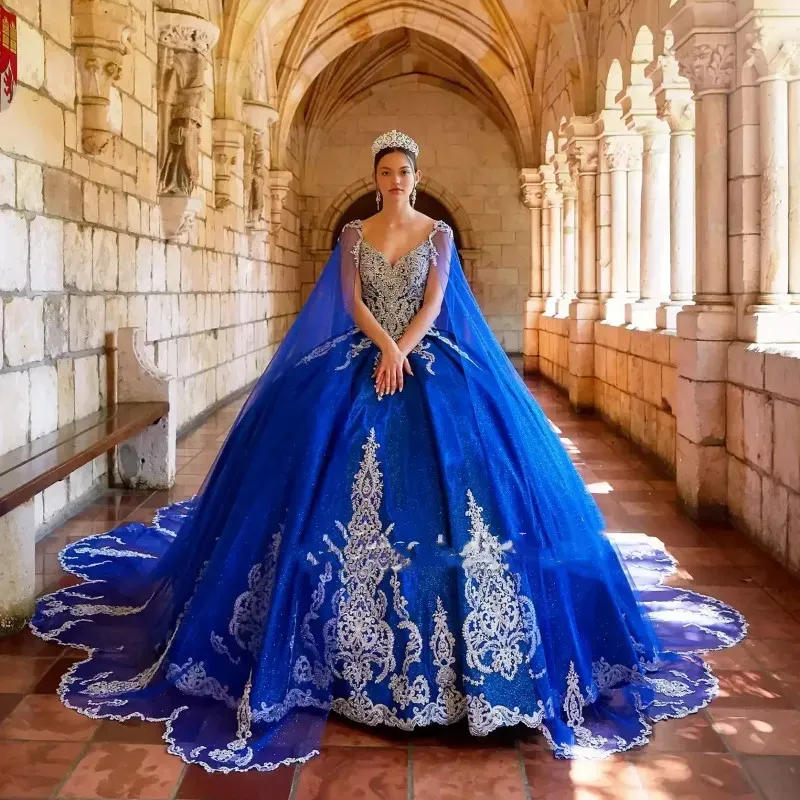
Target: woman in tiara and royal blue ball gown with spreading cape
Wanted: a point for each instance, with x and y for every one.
(392, 531)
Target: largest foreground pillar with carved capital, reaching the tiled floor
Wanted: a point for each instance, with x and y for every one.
(706, 329)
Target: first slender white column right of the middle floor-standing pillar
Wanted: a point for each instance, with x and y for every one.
(617, 152)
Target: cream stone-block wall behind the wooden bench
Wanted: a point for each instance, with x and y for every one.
(84, 253)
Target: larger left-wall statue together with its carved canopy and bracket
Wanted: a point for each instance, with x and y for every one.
(184, 44)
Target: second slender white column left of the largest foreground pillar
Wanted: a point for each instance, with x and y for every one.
(654, 276)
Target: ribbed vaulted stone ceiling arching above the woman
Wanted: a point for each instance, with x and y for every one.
(324, 54)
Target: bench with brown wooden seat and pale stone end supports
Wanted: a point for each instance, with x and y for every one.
(138, 427)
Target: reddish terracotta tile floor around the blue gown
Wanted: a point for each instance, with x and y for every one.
(746, 745)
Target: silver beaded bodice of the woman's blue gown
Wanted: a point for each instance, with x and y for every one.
(394, 292)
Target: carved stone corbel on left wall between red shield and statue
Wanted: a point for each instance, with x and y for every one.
(101, 34)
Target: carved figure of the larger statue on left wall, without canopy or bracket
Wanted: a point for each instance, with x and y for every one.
(182, 88)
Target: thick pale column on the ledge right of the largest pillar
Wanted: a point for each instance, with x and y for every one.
(771, 318)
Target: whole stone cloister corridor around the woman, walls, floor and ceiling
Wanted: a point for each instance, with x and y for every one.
(623, 181)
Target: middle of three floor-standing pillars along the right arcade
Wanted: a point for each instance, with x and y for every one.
(585, 310)
